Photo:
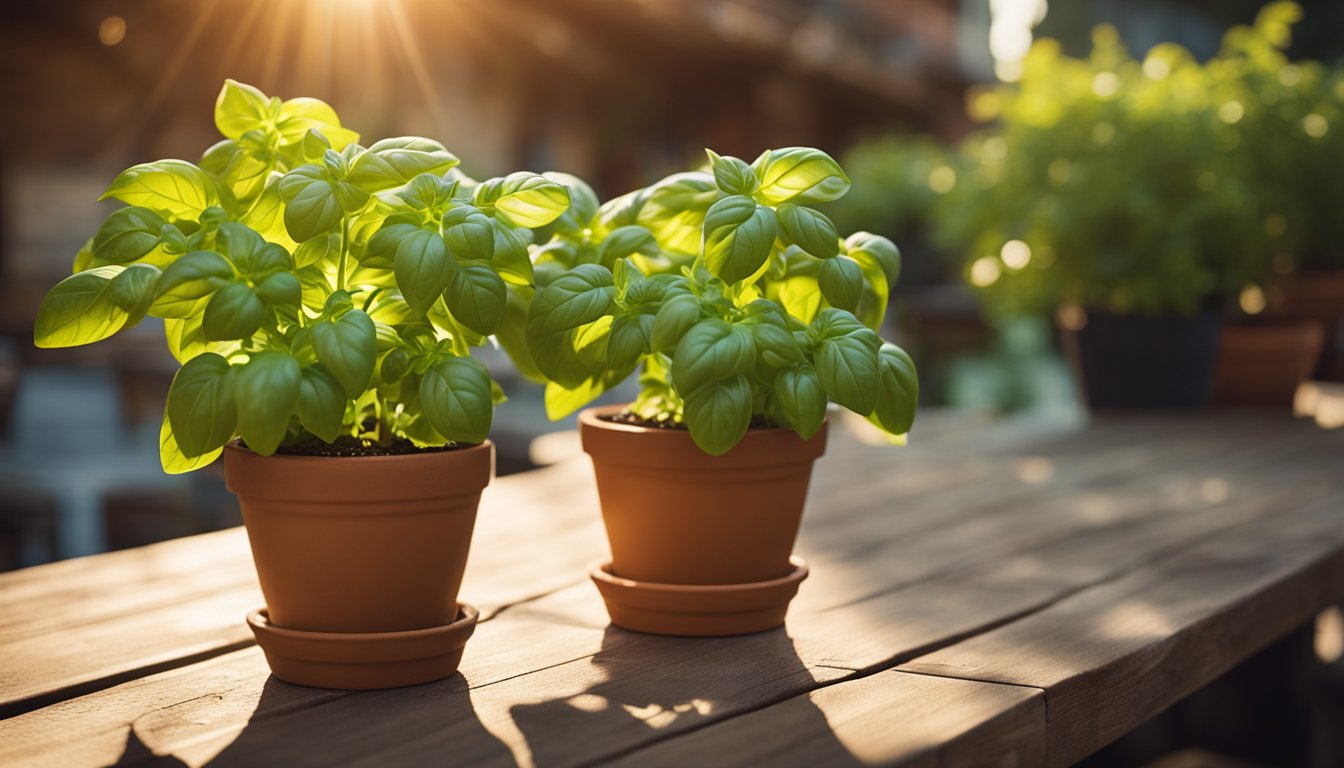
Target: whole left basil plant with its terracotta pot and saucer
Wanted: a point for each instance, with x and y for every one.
(323, 299)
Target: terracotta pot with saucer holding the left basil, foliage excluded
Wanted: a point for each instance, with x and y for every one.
(361, 559)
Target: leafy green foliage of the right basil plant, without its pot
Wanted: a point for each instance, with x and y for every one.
(736, 302)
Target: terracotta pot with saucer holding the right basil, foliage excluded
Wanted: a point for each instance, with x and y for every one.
(678, 517)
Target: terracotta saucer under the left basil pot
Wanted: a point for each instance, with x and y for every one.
(364, 661)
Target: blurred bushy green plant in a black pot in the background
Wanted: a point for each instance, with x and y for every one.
(1109, 197)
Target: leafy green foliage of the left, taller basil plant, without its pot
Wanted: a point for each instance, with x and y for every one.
(310, 286)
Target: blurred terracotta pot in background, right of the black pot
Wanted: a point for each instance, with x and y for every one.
(1264, 365)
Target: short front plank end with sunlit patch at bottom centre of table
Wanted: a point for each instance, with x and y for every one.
(888, 719)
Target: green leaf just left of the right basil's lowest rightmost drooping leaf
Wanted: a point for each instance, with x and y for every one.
(846, 360)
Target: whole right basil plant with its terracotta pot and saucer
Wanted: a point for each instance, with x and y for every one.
(744, 314)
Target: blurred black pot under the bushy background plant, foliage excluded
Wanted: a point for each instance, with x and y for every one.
(1134, 361)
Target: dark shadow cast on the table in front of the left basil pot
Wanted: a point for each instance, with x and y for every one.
(296, 726)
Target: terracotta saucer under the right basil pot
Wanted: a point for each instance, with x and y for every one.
(698, 611)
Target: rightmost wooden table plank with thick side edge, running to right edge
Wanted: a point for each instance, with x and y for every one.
(1111, 657)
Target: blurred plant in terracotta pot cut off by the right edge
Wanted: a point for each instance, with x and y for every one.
(1294, 154)
